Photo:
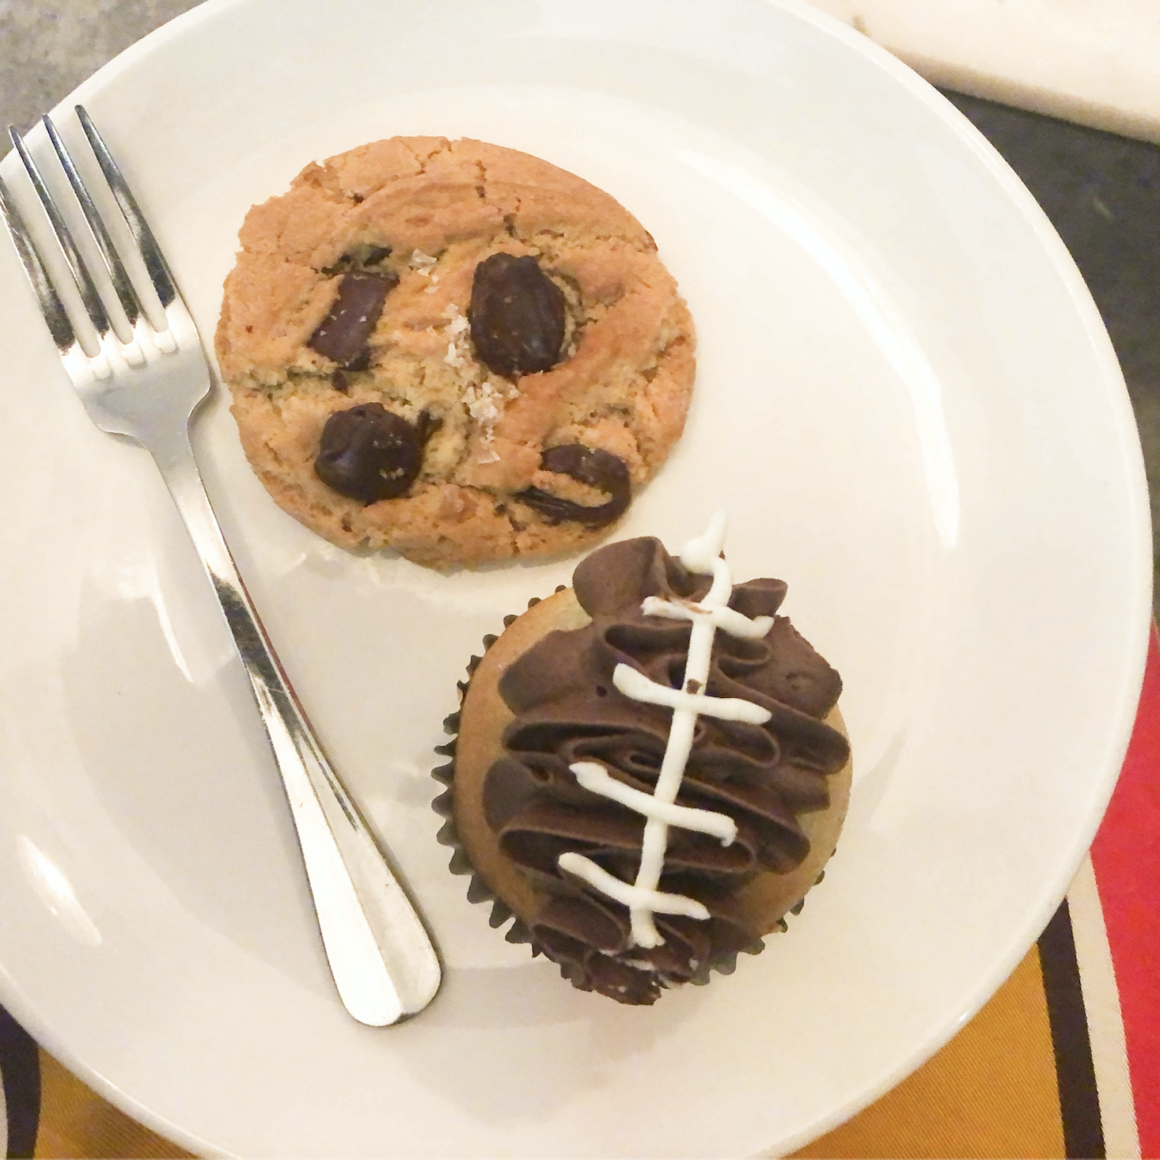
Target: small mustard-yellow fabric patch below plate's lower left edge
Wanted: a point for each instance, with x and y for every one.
(77, 1125)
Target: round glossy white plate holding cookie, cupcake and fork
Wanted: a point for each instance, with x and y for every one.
(907, 402)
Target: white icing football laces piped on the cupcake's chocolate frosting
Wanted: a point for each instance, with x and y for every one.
(701, 556)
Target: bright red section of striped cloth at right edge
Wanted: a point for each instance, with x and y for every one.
(1127, 859)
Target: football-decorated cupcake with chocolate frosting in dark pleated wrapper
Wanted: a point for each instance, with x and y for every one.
(650, 770)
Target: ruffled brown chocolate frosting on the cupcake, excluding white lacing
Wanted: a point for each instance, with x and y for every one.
(763, 777)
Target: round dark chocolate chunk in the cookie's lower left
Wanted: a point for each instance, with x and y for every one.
(368, 454)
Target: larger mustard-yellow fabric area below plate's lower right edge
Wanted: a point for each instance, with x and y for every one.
(991, 1092)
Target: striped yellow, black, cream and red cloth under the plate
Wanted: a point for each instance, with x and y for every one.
(1063, 1062)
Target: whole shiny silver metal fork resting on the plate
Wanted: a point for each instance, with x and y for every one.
(148, 389)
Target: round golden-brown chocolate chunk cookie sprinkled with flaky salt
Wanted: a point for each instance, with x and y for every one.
(453, 350)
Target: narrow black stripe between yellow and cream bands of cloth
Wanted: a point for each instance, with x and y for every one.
(1079, 1101)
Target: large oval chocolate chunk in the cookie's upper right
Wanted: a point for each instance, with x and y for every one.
(517, 316)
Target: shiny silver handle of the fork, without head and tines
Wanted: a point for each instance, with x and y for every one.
(382, 959)
